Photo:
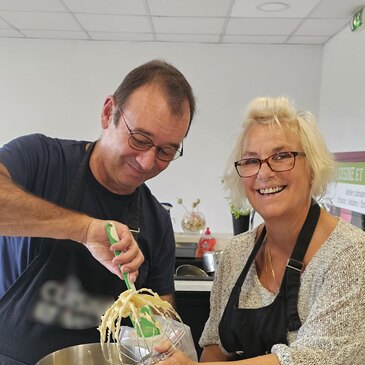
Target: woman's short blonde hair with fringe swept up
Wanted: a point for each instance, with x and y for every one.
(280, 111)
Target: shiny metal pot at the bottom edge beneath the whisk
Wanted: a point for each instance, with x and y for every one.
(91, 354)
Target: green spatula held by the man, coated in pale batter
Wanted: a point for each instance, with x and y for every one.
(145, 328)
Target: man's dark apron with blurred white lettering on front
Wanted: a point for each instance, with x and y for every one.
(58, 299)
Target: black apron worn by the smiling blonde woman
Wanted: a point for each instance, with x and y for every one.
(252, 332)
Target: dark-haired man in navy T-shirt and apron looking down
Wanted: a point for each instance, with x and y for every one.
(58, 272)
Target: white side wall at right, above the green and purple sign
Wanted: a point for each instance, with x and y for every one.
(342, 103)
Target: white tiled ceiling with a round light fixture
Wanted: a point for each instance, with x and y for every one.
(198, 21)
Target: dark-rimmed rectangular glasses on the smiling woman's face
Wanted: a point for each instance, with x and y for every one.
(278, 162)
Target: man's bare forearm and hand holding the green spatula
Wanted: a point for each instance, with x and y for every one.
(23, 214)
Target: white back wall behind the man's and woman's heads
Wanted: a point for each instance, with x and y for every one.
(58, 88)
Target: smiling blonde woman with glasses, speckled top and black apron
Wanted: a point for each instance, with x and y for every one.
(292, 290)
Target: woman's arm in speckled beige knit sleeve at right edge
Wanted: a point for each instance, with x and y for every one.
(332, 305)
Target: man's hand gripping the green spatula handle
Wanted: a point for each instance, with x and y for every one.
(130, 258)
